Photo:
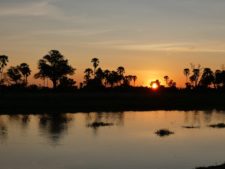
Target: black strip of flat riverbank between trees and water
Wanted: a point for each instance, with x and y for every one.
(108, 101)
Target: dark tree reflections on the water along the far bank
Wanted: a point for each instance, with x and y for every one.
(55, 126)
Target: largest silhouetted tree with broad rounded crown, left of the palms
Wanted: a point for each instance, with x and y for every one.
(54, 66)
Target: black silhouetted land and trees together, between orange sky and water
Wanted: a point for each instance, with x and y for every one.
(104, 90)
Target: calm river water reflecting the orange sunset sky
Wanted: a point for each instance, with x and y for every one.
(65, 141)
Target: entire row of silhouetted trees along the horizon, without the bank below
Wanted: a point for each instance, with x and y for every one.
(56, 68)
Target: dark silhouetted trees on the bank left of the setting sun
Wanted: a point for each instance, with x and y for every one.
(56, 68)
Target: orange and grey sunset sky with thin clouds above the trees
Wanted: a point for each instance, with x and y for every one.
(150, 38)
